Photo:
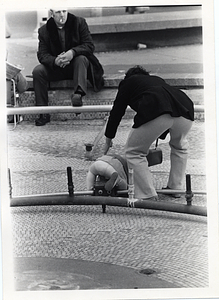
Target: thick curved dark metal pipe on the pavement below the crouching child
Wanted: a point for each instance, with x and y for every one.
(111, 201)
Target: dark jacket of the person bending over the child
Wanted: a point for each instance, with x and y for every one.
(150, 97)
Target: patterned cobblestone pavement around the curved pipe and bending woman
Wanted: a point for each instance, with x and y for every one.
(172, 244)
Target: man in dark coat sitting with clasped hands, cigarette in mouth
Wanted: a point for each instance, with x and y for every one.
(65, 51)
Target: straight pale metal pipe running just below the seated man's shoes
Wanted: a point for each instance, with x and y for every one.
(69, 109)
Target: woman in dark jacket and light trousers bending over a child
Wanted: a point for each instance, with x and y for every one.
(160, 109)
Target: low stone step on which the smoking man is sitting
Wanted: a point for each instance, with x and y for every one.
(60, 95)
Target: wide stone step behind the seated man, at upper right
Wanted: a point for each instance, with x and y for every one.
(156, 29)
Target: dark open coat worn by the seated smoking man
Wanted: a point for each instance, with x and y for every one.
(77, 38)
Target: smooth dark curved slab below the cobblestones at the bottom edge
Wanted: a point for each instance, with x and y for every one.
(42, 273)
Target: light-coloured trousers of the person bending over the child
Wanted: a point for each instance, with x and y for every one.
(137, 147)
